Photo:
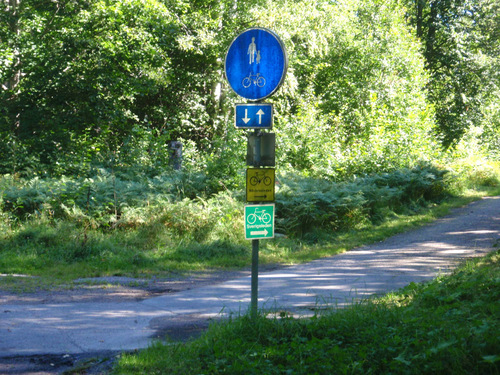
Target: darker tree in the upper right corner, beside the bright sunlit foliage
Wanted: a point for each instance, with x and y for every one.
(460, 40)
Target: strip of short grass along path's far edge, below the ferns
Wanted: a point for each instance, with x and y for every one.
(58, 252)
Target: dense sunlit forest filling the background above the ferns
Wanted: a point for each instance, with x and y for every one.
(372, 85)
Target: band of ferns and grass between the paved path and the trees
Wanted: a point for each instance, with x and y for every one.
(70, 228)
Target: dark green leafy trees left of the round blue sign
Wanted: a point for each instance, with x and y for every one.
(99, 75)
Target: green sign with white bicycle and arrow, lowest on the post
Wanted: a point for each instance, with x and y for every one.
(259, 221)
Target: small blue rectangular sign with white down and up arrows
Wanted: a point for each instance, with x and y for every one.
(254, 116)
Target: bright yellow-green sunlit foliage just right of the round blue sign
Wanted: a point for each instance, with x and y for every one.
(354, 101)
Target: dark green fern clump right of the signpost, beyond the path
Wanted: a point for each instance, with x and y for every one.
(306, 203)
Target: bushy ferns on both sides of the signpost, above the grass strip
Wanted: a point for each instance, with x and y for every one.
(118, 201)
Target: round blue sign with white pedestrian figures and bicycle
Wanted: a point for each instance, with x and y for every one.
(256, 64)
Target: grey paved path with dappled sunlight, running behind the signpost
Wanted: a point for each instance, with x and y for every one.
(414, 256)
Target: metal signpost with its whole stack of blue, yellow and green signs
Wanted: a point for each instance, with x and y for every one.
(255, 67)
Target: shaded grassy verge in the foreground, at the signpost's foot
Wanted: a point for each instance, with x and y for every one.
(448, 326)
